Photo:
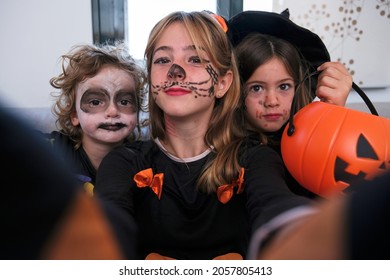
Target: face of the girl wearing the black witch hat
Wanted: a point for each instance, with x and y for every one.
(269, 94)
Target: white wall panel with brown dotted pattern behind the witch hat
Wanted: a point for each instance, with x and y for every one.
(345, 26)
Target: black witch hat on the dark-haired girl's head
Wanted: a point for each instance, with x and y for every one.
(279, 25)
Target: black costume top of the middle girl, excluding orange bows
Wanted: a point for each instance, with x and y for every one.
(186, 223)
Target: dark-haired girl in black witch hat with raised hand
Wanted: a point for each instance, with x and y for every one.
(278, 60)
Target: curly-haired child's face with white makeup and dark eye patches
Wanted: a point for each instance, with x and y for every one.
(106, 106)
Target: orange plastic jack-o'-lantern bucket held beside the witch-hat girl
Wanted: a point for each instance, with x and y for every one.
(334, 146)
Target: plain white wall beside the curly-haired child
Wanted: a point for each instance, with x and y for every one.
(34, 34)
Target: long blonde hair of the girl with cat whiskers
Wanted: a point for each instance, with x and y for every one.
(223, 133)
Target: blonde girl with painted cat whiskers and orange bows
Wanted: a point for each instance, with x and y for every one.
(198, 188)
